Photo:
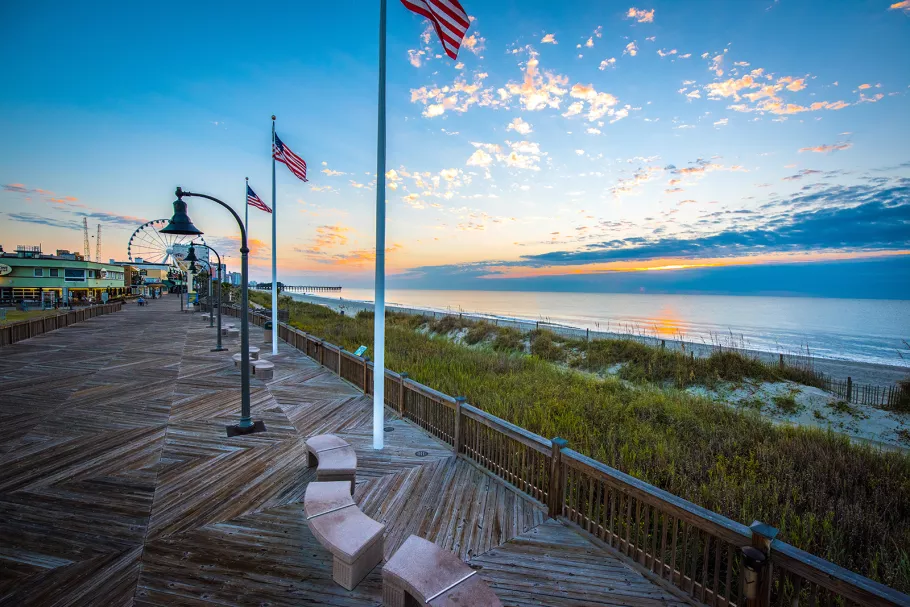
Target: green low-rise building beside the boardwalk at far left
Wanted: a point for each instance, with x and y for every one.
(30, 275)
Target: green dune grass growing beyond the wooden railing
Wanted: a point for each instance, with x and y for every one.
(841, 501)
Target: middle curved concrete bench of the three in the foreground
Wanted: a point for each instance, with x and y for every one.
(353, 538)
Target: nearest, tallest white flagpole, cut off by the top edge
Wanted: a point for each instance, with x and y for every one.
(379, 307)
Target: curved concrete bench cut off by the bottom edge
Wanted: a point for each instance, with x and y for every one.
(432, 576)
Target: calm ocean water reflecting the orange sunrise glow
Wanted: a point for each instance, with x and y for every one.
(866, 330)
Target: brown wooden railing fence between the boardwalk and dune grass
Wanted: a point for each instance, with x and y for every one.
(670, 540)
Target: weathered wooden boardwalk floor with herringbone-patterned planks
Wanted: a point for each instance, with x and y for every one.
(118, 485)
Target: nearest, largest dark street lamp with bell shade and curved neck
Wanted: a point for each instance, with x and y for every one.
(180, 224)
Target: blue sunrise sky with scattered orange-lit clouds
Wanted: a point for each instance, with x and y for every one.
(586, 145)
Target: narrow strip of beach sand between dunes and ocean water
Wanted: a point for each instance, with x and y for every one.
(861, 372)
